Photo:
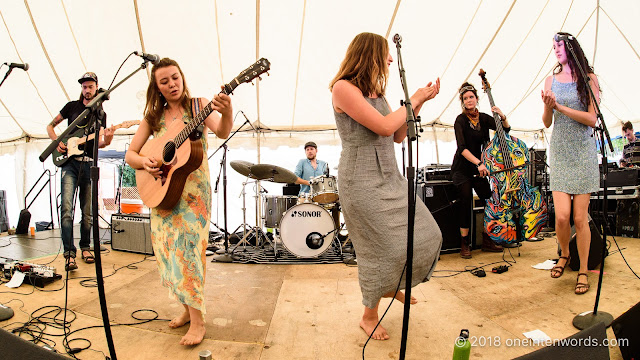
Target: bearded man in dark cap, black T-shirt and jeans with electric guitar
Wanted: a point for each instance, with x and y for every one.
(76, 171)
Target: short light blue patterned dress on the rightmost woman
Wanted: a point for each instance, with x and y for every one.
(573, 156)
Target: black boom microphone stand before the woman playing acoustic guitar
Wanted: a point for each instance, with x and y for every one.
(95, 115)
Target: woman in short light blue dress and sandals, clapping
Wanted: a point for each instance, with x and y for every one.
(573, 157)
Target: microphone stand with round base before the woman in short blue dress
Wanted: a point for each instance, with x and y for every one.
(586, 320)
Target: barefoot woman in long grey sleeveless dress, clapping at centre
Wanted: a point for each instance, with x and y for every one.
(373, 193)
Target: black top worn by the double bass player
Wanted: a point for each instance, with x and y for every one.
(473, 140)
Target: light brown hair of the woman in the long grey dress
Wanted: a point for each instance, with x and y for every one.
(365, 64)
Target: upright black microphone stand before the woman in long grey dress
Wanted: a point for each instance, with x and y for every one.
(411, 135)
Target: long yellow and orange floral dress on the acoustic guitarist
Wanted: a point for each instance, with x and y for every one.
(180, 235)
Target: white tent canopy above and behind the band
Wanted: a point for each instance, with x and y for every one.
(305, 41)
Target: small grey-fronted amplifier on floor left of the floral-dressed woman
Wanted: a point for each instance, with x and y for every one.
(131, 233)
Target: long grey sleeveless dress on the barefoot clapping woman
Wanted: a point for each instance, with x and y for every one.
(373, 195)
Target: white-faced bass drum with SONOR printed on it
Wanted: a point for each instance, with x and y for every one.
(307, 230)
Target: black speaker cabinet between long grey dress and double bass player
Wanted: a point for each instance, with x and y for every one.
(440, 197)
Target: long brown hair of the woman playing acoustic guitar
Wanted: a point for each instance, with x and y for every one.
(156, 102)
